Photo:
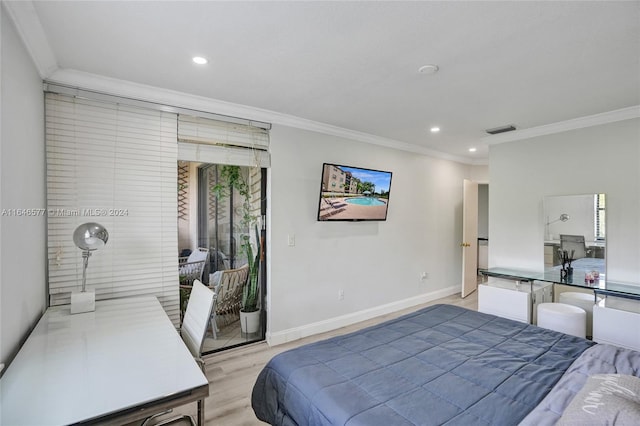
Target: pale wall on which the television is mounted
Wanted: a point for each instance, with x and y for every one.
(376, 264)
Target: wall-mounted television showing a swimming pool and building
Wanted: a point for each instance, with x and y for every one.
(353, 194)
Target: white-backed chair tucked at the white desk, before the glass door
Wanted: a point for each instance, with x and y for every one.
(193, 329)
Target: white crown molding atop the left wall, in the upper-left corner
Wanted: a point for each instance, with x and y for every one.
(26, 21)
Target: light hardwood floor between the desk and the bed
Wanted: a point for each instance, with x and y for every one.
(232, 373)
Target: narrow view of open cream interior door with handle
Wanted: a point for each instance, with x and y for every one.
(469, 238)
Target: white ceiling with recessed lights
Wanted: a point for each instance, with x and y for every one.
(355, 64)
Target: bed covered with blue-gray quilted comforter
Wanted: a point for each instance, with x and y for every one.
(439, 365)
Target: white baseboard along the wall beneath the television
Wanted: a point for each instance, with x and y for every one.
(284, 336)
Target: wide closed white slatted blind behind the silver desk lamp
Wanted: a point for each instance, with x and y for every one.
(116, 165)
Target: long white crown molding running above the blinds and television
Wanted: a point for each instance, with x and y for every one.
(158, 95)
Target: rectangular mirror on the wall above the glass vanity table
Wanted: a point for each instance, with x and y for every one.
(575, 223)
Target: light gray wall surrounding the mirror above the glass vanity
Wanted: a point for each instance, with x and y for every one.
(603, 158)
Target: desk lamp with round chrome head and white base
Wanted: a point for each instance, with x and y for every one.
(88, 237)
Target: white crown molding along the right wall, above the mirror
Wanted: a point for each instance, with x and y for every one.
(563, 126)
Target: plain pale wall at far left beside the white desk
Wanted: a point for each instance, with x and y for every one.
(22, 156)
